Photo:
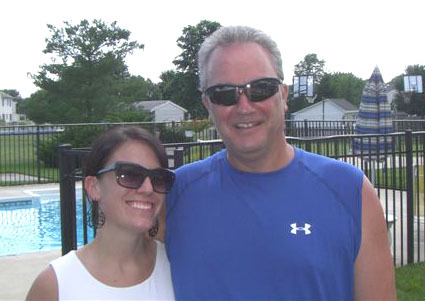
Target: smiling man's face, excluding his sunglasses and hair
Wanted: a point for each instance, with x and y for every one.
(246, 127)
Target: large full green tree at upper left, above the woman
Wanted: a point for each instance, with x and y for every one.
(88, 59)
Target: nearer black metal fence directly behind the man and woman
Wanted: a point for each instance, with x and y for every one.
(397, 173)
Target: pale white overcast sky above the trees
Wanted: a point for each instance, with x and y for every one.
(350, 36)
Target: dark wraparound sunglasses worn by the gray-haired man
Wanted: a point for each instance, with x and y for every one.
(256, 90)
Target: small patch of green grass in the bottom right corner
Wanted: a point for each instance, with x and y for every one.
(410, 282)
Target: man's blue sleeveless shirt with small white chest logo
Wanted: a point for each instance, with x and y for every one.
(289, 234)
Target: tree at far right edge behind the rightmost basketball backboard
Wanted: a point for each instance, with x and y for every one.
(413, 104)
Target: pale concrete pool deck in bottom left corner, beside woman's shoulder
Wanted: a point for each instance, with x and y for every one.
(19, 271)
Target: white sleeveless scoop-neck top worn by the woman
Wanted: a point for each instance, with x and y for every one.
(76, 283)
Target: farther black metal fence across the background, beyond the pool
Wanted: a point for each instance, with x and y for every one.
(28, 154)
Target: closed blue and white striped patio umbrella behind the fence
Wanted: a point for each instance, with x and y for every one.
(374, 117)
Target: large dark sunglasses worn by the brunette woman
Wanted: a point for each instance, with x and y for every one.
(131, 175)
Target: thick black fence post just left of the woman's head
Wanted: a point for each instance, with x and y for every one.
(67, 200)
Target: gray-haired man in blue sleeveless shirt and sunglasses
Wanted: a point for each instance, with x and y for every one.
(262, 219)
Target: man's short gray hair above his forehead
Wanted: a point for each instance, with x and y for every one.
(229, 35)
